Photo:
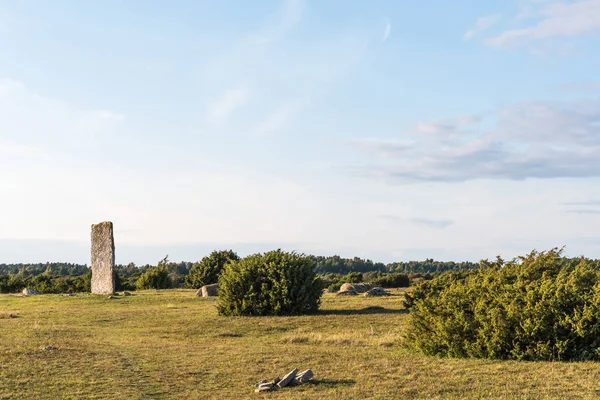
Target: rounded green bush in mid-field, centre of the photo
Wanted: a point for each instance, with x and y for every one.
(273, 283)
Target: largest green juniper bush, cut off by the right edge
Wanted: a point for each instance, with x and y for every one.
(539, 307)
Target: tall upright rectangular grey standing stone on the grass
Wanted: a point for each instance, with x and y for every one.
(103, 258)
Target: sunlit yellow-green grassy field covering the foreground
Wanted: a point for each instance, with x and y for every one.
(172, 345)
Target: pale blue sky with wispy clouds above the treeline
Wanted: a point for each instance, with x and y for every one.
(389, 130)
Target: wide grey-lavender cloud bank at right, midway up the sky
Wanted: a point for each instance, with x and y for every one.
(528, 140)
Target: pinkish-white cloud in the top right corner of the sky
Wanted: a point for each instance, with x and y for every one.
(556, 19)
